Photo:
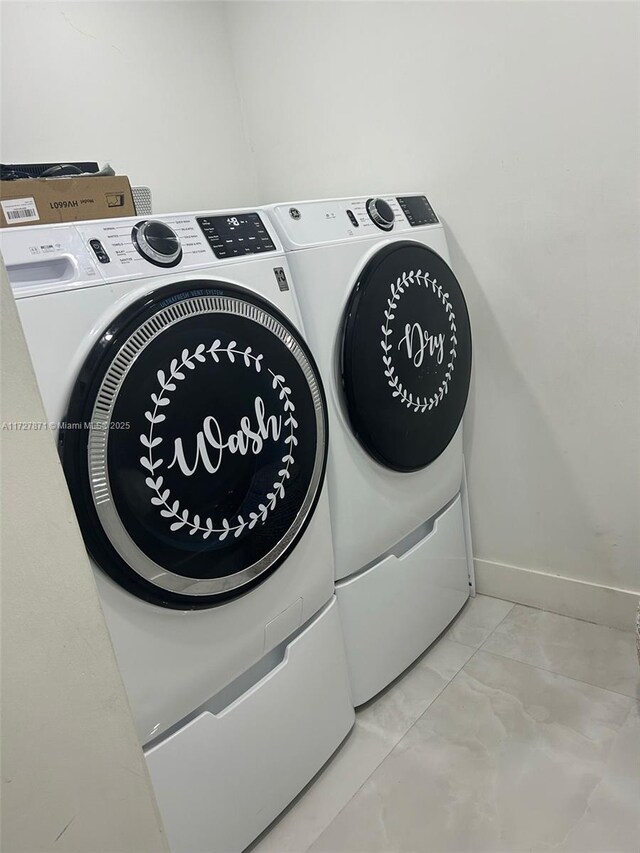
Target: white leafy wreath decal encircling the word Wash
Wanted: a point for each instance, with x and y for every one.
(163, 496)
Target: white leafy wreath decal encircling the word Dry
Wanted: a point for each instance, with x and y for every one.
(417, 403)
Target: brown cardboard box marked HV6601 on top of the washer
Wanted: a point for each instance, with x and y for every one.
(43, 201)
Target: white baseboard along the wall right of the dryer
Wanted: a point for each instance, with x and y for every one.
(581, 599)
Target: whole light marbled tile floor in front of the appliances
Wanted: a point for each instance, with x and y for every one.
(519, 730)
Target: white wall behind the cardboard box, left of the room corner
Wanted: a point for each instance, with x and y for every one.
(145, 86)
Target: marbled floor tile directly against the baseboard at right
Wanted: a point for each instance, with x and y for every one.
(592, 653)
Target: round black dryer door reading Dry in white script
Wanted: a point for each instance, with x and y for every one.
(406, 356)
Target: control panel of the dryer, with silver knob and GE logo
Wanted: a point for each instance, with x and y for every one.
(311, 223)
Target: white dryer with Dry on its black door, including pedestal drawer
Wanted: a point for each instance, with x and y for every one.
(387, 322)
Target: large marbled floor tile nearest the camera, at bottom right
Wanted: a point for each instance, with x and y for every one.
(508, 758)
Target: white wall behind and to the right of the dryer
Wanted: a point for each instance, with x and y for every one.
(520, 122)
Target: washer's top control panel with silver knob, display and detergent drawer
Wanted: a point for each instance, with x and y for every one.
(50, 258)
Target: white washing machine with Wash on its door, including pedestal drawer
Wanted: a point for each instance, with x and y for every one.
(193, 433)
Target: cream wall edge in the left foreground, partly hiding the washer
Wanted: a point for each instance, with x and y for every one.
(74, 779)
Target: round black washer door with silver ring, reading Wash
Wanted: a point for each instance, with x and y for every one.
(195, 444)
